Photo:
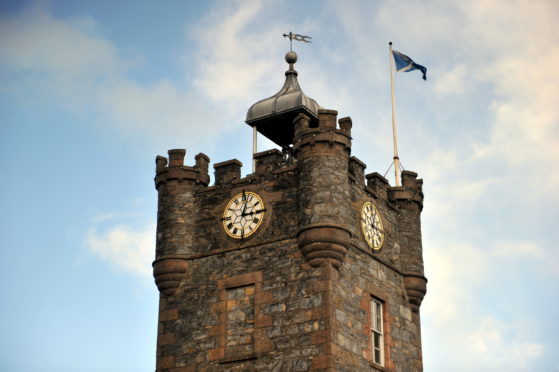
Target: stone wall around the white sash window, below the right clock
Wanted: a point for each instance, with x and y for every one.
(360, 279)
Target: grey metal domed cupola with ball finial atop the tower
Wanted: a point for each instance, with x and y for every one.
(273, 117)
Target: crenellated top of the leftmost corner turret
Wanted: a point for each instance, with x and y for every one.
(174, 169)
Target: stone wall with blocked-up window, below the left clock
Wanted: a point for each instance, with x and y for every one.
(200, 326)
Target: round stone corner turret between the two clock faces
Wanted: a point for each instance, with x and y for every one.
(322, 154)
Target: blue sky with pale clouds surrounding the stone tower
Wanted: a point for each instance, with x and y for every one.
(92, 91)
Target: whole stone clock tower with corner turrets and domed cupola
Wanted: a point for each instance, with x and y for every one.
(306, 264)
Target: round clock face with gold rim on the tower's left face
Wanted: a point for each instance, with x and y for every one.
(243, 215)
